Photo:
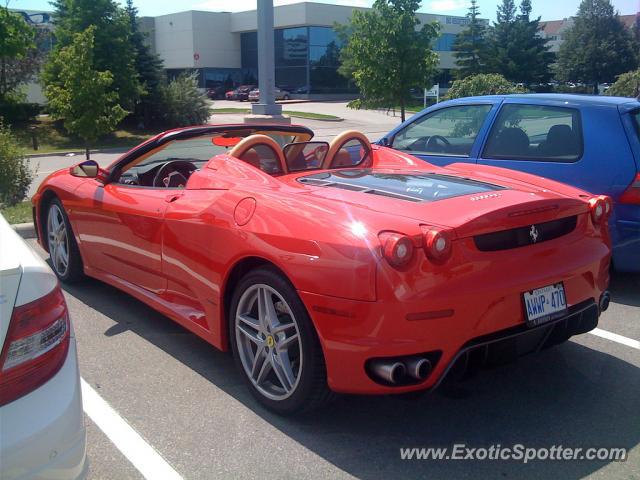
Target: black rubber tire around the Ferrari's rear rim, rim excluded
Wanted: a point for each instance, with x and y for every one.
(312, 390)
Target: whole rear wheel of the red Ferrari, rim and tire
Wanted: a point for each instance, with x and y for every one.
(275, 344)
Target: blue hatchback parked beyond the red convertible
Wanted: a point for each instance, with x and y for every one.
(588, 141)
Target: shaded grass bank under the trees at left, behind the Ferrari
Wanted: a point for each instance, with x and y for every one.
(52, 138)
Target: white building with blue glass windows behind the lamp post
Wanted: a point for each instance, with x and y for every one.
(222, 47)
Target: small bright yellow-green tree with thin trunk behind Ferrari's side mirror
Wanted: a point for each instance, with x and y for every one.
(83, 96)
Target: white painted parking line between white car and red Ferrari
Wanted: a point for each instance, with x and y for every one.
(142, 455)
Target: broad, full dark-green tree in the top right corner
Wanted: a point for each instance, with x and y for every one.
(597, 47)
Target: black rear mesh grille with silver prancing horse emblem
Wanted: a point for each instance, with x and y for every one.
(523, 236)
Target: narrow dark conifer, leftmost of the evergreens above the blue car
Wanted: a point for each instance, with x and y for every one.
(469, 46)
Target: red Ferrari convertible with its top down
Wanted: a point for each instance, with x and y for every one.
(342, 266)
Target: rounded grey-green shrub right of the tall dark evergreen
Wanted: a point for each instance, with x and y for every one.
(184, 104)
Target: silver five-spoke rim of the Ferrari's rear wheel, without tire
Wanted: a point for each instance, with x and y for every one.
(268, 342)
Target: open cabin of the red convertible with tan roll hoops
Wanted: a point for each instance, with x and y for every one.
(277, 153)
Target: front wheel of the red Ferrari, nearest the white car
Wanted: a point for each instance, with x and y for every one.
(63, 249)
